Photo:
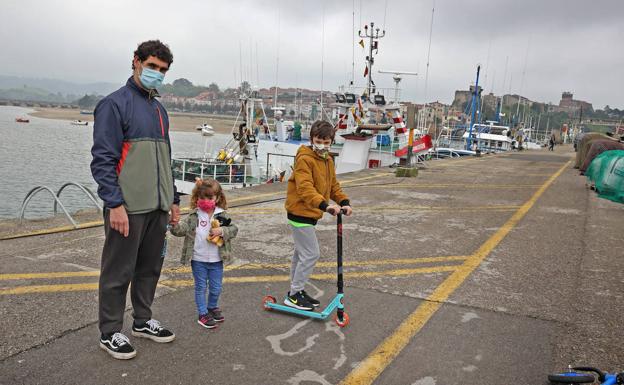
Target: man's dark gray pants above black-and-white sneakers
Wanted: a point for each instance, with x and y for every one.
(137, 259)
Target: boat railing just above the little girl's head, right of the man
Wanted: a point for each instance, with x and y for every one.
(226, 174)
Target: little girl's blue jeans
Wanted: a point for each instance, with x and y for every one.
(207, 275)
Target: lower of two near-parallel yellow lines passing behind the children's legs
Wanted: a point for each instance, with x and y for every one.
(249, 279)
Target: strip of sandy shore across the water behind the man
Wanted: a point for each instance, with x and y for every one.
(178, 121)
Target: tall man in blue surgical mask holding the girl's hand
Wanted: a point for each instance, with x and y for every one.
(132, 167)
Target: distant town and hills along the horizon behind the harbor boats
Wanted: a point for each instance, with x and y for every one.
(183, 96)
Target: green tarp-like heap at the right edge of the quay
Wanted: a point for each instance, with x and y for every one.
(606, 173)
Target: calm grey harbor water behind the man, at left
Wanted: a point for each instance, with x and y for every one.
(52, 152)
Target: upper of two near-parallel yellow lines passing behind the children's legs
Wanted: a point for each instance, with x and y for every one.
(250, 266)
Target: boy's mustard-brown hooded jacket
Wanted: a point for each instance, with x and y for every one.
(311, 185)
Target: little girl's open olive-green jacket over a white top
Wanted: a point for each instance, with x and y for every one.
(186, 228)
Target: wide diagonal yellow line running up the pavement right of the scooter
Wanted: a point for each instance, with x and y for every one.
(376, 362)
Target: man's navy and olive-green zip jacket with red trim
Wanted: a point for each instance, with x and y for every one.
(132, 152)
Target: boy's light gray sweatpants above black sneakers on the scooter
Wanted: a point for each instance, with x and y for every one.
(306, 254)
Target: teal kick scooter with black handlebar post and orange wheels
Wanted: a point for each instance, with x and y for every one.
(342, 318)
